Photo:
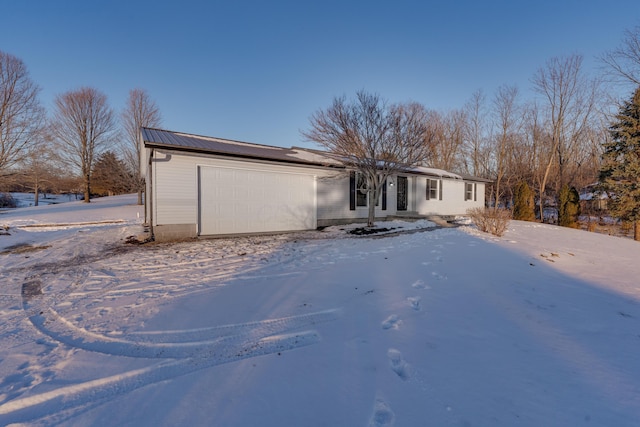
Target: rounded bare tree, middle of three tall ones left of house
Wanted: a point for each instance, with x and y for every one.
(82, 124)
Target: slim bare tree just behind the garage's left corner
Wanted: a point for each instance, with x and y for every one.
(140, 111)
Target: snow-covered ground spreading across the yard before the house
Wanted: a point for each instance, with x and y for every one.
(443, 327)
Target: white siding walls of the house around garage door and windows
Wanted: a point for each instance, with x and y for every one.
(174, 186)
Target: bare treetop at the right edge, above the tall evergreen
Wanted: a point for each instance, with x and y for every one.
(623, 63)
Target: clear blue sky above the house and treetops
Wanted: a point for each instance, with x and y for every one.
(256, 70)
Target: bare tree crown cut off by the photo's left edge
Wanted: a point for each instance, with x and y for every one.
(21, 115)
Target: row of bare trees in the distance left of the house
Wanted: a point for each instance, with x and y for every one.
(82, 146)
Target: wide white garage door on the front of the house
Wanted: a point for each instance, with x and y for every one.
(252, 201)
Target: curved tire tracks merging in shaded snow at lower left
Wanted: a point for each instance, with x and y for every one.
(186, 350)
